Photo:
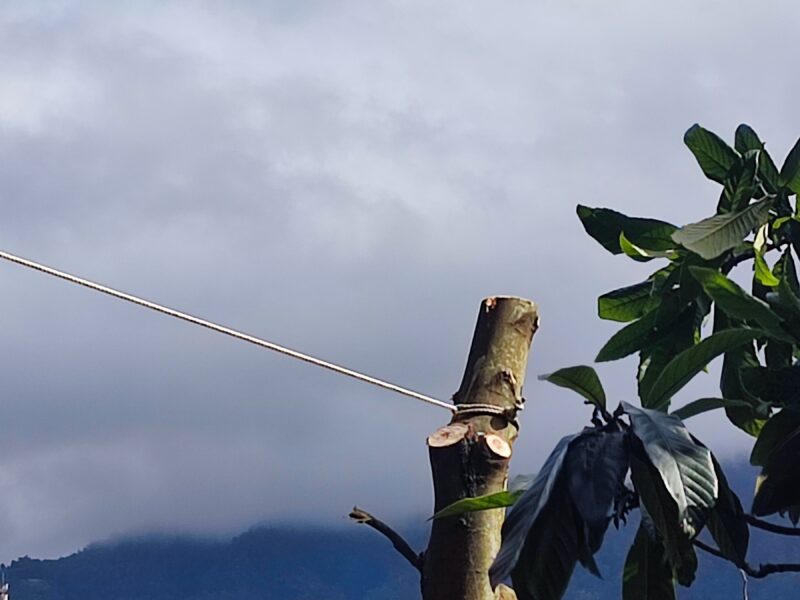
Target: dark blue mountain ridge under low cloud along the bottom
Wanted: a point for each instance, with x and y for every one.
(304, 563)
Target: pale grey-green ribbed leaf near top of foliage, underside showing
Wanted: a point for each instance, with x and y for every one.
(713, 236)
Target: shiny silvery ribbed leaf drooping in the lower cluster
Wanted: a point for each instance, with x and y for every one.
(685, 467)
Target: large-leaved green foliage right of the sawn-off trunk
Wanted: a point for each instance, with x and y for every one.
(677, 483)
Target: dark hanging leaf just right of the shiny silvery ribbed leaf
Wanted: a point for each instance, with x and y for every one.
(727, 523)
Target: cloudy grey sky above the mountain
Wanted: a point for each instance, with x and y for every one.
(350, 179)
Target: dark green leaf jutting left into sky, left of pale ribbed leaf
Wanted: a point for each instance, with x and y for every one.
(606, 225)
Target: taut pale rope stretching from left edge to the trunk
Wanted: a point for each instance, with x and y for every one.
(226, 330)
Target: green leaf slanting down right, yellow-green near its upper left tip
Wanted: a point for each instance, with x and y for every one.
(739, 304)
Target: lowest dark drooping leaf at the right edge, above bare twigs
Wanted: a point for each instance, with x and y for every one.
(778, 485)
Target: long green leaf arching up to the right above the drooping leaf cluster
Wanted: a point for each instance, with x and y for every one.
(680, 370)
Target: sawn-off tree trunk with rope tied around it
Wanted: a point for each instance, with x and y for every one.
(461, 549)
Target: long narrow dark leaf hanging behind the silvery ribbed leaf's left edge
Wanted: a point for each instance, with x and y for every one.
(660, 516)
